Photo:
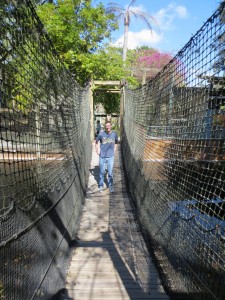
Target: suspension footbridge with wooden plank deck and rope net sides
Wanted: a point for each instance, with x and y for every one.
(161, 234)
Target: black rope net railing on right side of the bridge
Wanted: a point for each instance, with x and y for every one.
(173, 144)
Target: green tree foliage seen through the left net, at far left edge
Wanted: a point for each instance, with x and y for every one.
(13, 66)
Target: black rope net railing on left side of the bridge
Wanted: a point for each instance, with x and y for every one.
(45, 152)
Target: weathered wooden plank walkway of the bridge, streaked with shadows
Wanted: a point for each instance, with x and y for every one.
(111, 260)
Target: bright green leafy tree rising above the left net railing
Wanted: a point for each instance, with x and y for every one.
(77, 30)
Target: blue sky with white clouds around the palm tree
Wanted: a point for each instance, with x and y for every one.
(178, 22)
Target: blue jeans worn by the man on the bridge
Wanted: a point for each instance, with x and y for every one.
(102, 162)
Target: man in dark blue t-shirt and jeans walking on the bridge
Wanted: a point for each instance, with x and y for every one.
(106, 146)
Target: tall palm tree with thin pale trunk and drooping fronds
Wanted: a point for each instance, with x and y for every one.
(126, 14)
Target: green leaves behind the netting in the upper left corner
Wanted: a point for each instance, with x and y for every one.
(18, 69)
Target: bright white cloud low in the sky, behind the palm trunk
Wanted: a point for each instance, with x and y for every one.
(142, 38)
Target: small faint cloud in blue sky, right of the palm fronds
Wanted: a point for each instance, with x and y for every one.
(166, 16)
